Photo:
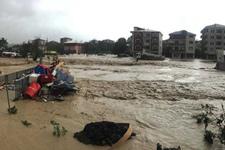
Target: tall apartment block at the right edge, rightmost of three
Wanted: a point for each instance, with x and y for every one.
(213, 39)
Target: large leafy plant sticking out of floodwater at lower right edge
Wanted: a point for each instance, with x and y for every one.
(215, 121)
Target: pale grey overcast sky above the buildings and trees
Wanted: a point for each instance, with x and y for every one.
(21, 20)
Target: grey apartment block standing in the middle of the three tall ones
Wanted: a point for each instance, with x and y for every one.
(182, 44)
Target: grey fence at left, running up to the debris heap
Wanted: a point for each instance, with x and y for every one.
(16, 83)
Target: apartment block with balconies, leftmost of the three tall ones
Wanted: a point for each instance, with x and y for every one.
(146, 41)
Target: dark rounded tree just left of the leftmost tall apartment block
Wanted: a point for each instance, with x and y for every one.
(121, 46)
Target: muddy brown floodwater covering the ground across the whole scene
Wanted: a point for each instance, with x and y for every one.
(158, 99)
